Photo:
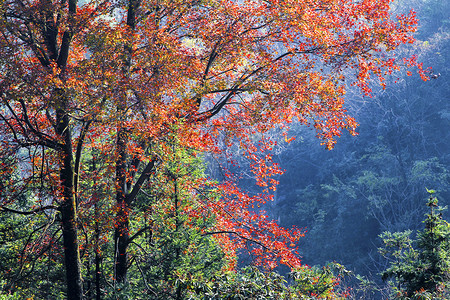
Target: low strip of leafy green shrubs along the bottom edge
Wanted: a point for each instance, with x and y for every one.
(304, 283)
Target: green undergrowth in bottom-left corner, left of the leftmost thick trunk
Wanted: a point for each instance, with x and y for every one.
(30, 261)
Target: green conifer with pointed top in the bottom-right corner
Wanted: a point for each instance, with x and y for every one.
(420, 268)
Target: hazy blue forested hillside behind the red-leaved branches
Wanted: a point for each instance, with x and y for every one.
(377, 181)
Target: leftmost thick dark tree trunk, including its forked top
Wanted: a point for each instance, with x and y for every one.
(68, 206)
